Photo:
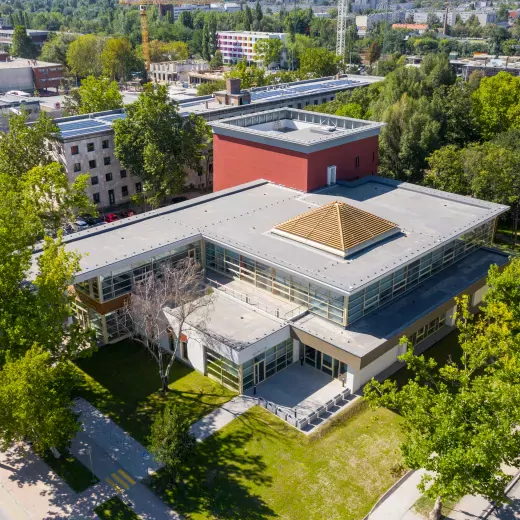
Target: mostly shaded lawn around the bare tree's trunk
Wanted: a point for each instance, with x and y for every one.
(123, 381)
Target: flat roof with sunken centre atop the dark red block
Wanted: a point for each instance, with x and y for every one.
(297, 130)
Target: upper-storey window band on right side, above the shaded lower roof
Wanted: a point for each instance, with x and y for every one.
(409, 276)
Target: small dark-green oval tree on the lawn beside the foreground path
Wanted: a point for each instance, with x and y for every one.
(171, 441)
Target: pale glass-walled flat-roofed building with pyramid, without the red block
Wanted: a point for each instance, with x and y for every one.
(329, 279)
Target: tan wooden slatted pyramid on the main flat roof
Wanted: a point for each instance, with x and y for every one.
(337, 228)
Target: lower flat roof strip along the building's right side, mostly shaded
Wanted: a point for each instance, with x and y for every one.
(372, 331)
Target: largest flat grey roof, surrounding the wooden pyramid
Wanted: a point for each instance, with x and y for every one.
(242, 218)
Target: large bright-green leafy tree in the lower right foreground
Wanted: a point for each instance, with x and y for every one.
(461, 418)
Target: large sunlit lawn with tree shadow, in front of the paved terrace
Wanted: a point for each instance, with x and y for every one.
(258, 467)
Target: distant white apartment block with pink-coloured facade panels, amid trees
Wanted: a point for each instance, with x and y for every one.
(237, 45)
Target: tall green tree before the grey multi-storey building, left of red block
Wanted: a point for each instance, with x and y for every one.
(157, 144)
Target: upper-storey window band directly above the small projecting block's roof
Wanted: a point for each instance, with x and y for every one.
(317, 299)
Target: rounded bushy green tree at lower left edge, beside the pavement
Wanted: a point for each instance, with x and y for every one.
(35, 401)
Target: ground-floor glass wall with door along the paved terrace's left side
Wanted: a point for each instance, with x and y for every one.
(267, 363)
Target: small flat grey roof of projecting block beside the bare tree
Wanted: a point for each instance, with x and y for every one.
(236, 324)
